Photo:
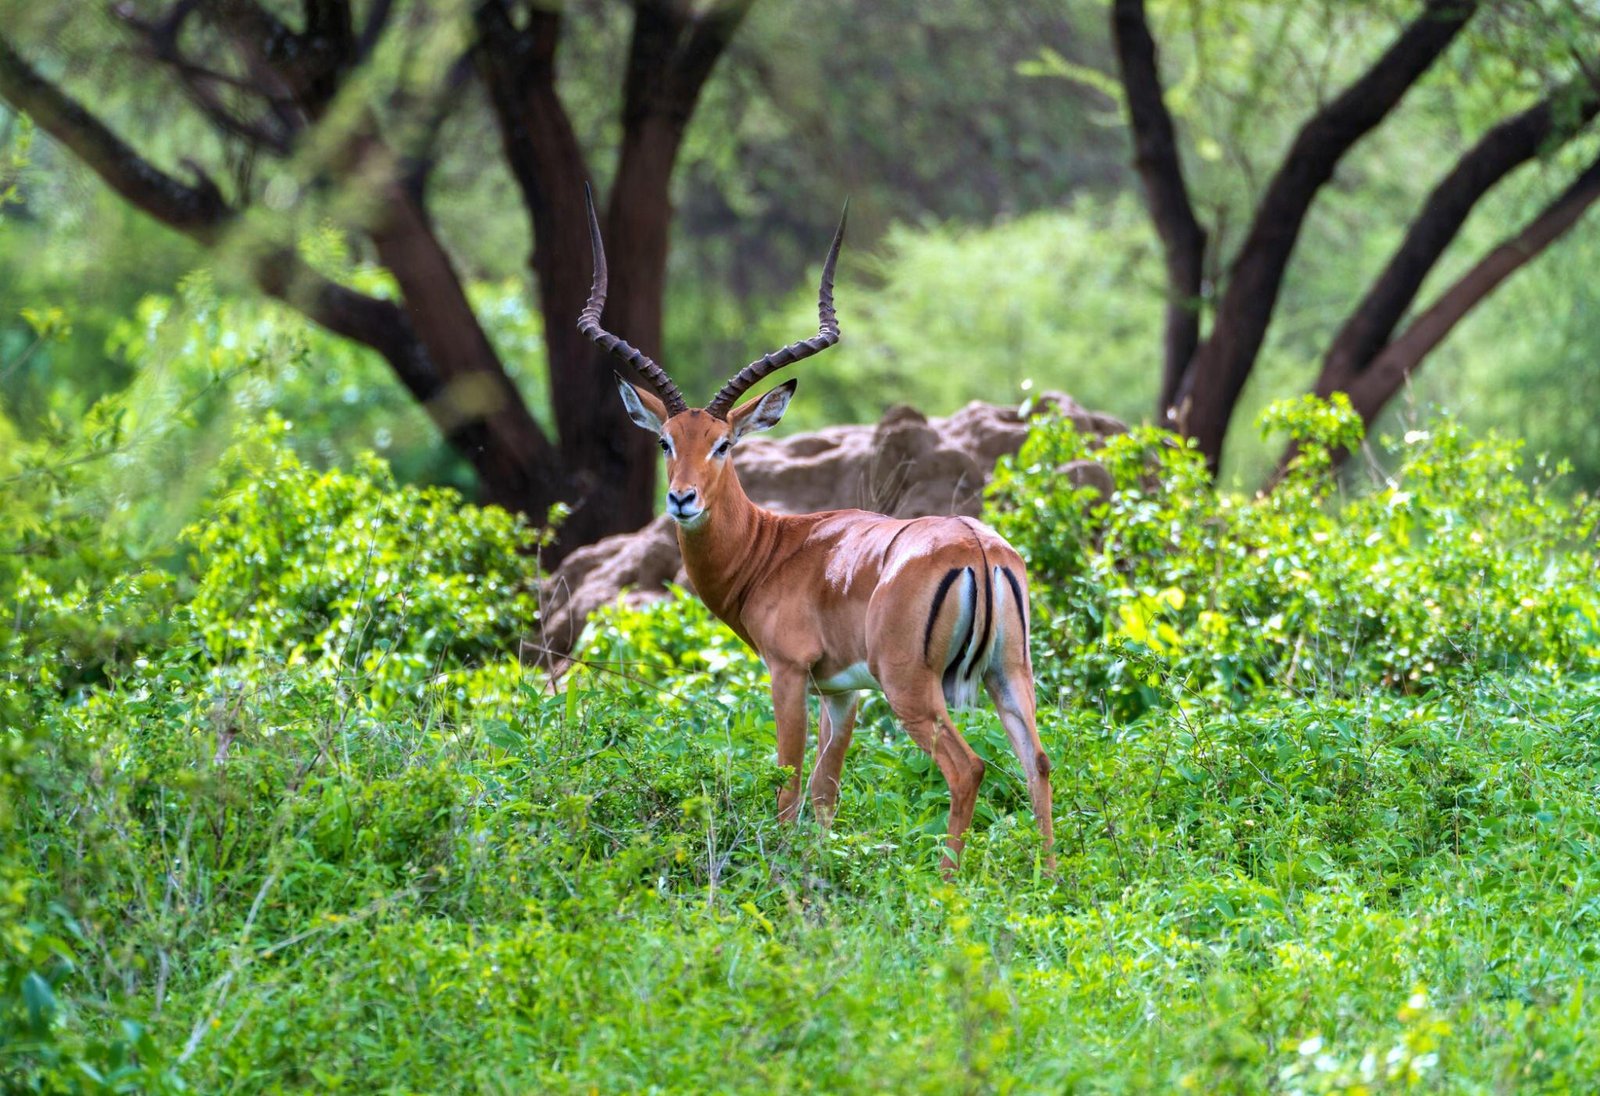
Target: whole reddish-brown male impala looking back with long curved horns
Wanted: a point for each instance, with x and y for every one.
(842, 601)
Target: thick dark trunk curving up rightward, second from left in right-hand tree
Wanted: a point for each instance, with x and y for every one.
(1223, 364)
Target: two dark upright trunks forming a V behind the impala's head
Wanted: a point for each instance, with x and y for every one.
(671, 55)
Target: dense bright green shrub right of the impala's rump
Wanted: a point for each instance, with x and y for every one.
(1169, 586)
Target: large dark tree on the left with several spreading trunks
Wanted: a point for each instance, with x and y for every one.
(601, 462)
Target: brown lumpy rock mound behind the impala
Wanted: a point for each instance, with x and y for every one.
(906, 466)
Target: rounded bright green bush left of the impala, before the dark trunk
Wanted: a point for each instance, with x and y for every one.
(354, 574)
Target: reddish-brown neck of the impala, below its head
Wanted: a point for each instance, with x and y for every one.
(727, 550)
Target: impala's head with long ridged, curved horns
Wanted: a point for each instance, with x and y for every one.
(700, 442)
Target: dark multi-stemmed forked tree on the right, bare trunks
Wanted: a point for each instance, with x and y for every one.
(1210, 350)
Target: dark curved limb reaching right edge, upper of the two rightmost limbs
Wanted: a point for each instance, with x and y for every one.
(1503, 150)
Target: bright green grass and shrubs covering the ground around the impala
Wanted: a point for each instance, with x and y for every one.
(326, 831)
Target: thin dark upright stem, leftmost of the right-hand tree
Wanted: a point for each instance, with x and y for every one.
(1166, 193)
